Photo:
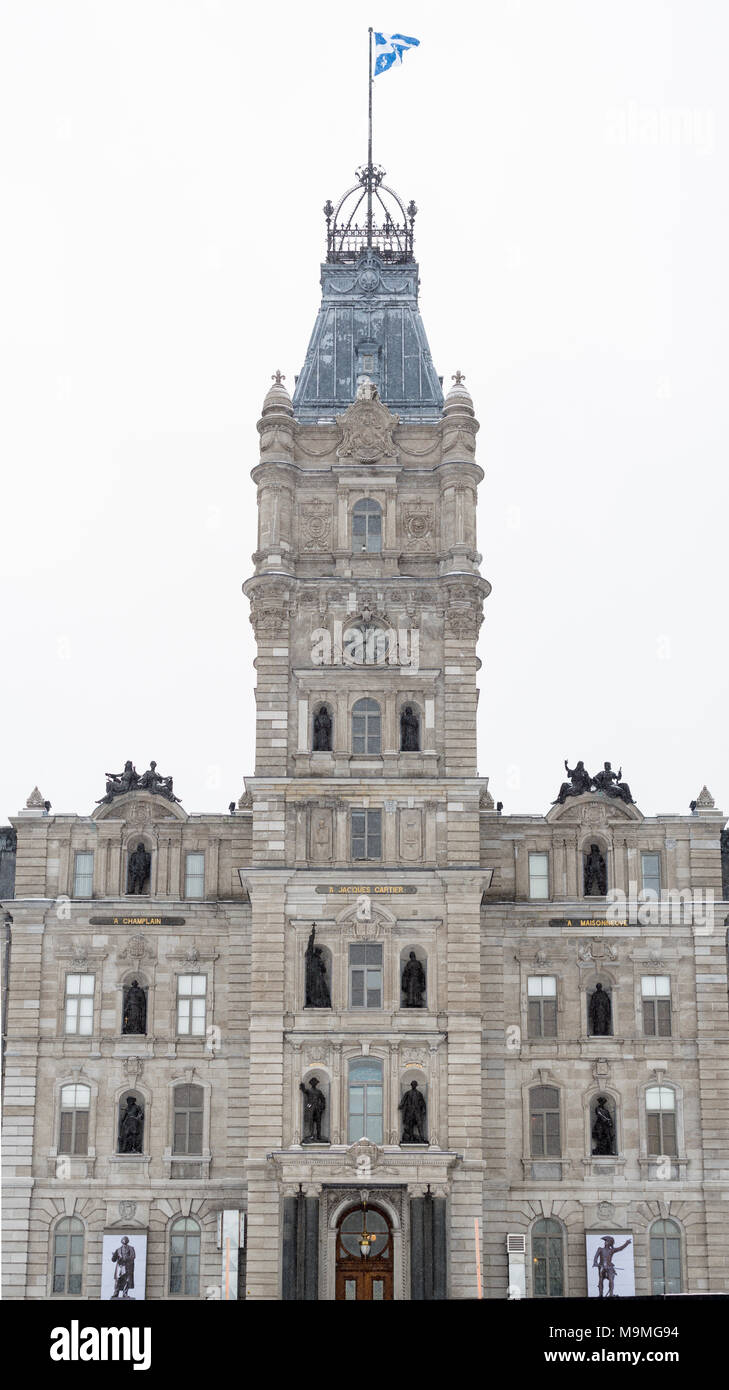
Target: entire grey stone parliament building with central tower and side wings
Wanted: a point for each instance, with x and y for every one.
(364, 1035)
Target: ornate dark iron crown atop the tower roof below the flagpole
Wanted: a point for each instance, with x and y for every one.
(385, 224)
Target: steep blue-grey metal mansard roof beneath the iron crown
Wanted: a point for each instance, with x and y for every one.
(369, 326)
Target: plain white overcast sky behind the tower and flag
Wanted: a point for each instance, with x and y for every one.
(163, 172)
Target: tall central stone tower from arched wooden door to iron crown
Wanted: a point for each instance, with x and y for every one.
(367, 605)
